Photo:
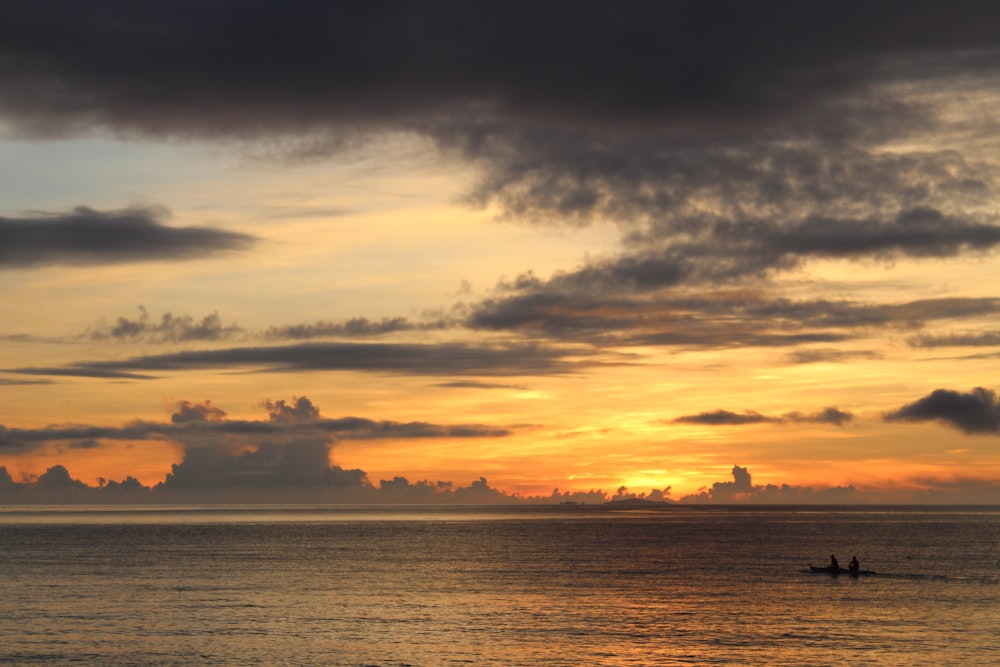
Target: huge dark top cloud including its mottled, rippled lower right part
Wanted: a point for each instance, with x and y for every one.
(731, 139)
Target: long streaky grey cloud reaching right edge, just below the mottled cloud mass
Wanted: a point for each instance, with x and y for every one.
(566, 308)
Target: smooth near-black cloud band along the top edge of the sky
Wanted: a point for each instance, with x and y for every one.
(246, 68)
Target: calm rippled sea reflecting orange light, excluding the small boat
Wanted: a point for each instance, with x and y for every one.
(522, 586)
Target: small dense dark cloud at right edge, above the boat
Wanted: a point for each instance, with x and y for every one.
(976, 412)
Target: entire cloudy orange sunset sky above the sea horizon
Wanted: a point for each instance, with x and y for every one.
(315, 251)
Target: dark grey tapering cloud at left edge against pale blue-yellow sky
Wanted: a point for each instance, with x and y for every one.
(85, 236)
